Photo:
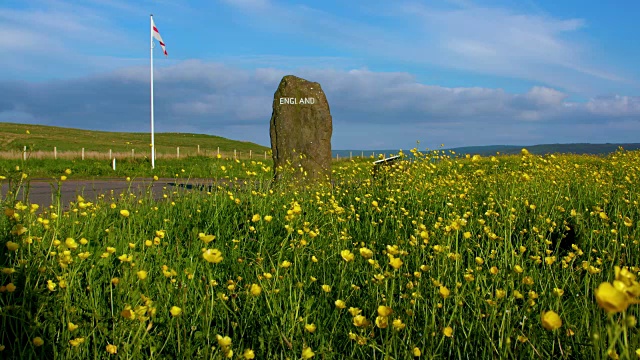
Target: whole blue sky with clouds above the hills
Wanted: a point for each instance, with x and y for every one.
(397, 74)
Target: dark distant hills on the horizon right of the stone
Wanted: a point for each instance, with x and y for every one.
(585, 148)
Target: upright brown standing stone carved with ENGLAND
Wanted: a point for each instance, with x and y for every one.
(301, 128)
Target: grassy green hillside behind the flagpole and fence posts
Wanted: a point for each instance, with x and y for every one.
(13, 137)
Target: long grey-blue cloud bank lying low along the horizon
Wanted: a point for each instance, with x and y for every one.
(370, 109)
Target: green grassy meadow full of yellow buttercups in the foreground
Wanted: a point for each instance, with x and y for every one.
(488, 257)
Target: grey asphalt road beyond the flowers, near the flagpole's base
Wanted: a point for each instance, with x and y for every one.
(42, 193)
